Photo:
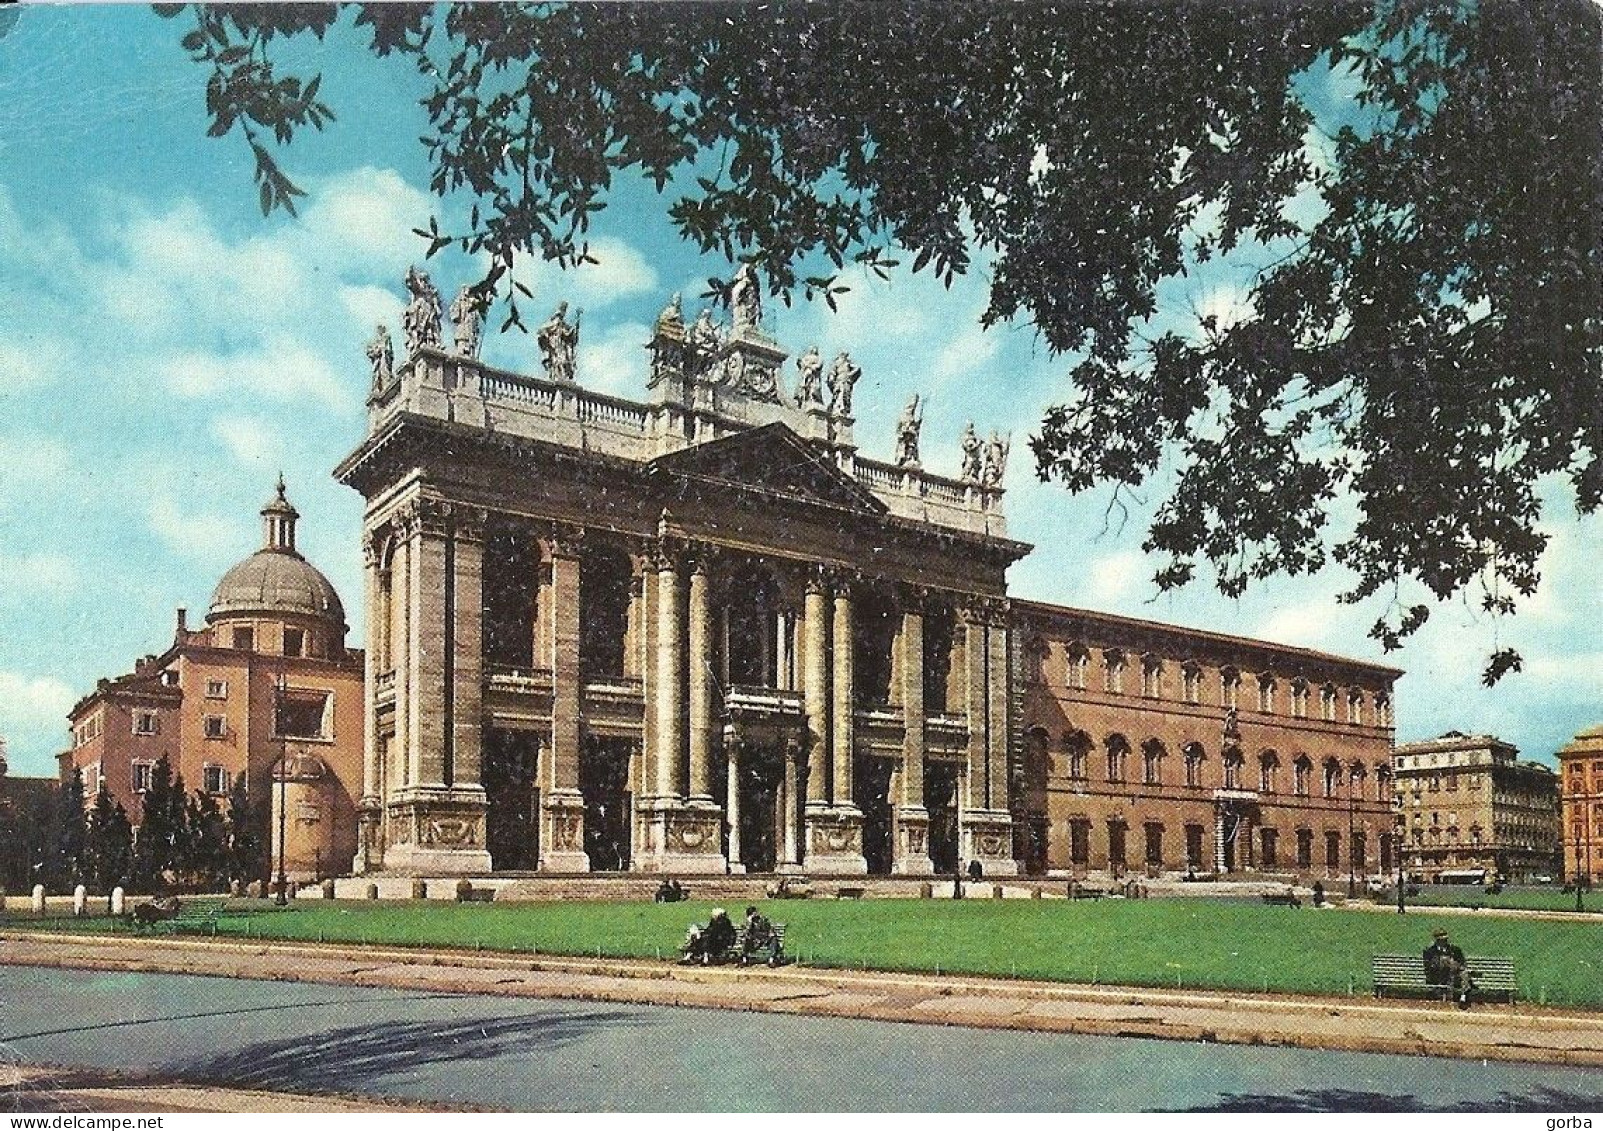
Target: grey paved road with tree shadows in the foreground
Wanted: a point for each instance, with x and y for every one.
(531, 1055)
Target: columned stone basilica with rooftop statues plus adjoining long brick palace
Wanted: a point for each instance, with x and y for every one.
(705, 634)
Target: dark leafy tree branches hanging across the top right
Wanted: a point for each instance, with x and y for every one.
(1424, 342)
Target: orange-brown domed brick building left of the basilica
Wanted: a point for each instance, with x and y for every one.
(267, 682)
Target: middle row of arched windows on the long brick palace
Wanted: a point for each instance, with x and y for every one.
(1118, 759)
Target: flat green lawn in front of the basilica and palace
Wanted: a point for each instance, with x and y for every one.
(1189, 943)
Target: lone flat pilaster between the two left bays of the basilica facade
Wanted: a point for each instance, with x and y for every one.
(562, 803)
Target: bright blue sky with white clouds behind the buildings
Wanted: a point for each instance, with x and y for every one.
(166, 352)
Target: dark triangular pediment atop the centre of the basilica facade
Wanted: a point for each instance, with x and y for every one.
(772, 461)
